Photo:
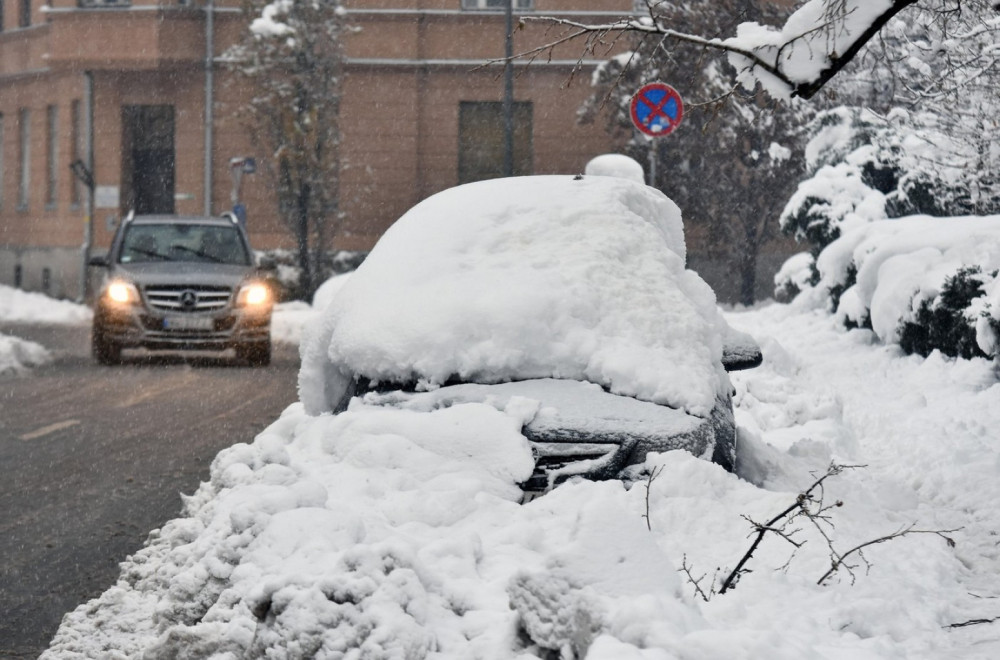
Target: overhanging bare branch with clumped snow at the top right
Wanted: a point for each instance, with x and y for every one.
(798, 59)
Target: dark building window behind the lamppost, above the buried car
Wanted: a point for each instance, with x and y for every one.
(481, 140)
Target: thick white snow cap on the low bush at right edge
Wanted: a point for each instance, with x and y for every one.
(902, 262)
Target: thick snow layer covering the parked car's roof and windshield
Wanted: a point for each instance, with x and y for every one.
(530, 277)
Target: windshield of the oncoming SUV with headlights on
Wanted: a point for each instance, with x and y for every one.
(183, 242)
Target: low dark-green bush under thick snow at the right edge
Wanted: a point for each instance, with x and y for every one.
(923, 283)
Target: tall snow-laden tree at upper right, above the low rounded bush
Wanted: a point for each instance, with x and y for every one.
(920, 134)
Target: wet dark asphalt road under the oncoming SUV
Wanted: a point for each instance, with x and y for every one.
(92, 458)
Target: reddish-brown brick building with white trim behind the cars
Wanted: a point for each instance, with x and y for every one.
(128, 80)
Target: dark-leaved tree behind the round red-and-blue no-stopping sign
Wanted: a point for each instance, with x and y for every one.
(734, 160)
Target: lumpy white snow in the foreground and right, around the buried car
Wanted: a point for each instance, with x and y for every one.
(398, 534)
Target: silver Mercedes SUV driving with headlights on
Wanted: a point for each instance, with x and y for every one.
(185, 283)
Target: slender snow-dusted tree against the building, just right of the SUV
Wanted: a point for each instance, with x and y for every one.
(293, 54)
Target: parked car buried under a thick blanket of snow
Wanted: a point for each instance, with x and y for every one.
(568, 295)
